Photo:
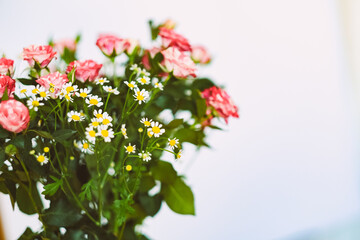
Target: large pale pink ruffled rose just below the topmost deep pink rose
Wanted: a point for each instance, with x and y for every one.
(178, 62)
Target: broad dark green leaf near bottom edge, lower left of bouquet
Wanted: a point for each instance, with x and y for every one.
(61, 214)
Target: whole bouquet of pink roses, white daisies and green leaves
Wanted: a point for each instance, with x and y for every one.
(93, 140)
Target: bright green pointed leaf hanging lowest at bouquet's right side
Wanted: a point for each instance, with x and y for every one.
(179, 197)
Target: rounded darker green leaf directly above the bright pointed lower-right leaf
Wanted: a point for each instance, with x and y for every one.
(164, 172)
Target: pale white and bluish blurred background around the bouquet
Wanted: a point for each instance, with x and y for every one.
(289, 169)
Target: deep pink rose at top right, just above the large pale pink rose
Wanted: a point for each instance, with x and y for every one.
(172, 39)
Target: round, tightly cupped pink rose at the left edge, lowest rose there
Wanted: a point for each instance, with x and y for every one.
(14, 115)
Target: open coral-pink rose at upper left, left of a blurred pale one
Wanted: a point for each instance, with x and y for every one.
(42, 55)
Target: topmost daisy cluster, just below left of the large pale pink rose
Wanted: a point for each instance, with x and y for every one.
(142, 79)
